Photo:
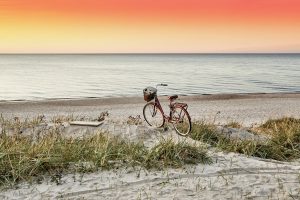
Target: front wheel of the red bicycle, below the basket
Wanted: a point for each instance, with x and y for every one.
(153, 115)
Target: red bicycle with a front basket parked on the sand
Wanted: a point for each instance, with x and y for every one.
(154, 114)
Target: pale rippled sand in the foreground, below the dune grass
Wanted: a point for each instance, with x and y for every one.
(231, 176)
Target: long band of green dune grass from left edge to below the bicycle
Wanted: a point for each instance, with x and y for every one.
(23, 158)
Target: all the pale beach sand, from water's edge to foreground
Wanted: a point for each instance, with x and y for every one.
(230, 176)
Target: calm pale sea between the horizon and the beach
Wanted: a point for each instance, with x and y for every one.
(28, 77)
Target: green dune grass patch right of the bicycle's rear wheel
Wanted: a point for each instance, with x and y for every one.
(284, 144)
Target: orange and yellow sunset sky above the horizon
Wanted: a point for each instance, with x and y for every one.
(149, 26)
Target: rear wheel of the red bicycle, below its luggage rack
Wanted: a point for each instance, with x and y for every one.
(181, 121)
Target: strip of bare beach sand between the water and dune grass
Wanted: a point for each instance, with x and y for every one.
(247, 109)
